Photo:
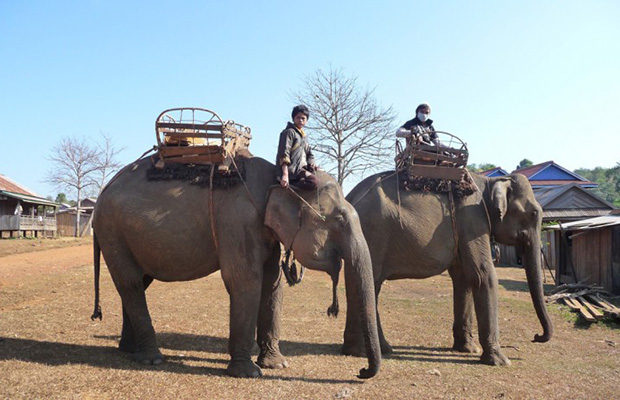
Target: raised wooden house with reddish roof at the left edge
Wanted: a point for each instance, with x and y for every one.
(24, 213)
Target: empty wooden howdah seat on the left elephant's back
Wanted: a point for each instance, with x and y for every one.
(198, 136)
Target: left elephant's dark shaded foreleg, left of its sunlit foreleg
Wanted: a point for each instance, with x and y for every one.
(243, 283)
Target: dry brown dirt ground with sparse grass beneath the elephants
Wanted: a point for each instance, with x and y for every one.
(50, 348)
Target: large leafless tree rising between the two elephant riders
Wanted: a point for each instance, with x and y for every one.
(352, 131)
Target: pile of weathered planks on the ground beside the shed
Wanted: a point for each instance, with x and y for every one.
(591, 302)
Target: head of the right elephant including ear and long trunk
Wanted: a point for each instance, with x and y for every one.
(516, 221)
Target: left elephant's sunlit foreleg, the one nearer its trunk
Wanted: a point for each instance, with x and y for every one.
(270, 315)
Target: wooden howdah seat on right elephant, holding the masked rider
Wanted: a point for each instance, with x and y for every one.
(446, 161)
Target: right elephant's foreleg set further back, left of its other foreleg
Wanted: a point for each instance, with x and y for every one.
(462, 329)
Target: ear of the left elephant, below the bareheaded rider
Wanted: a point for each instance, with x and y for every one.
(282, 215)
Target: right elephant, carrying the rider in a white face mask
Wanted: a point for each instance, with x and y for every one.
(411, 234)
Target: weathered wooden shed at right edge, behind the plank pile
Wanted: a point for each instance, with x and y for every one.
(588, 251)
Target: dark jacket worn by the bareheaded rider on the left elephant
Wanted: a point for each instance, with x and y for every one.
(293, 150)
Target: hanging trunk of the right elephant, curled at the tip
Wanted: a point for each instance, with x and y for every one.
(533, 271)
